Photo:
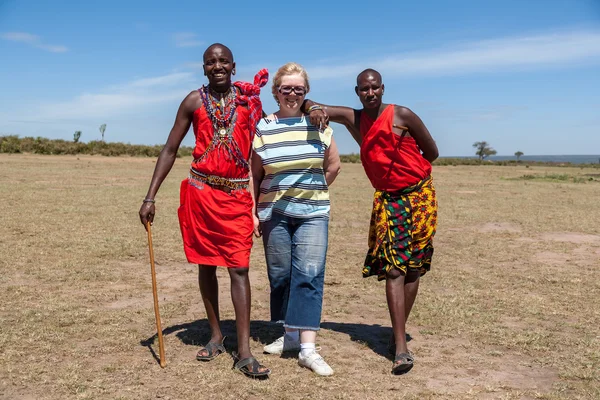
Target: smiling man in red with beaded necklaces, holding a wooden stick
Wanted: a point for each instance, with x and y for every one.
(216, 203)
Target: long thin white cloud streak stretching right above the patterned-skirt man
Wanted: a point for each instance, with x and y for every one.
(482, 56)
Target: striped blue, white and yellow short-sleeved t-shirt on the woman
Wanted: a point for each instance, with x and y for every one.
(292, 152)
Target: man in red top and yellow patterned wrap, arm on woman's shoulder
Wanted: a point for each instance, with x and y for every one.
(396, 151)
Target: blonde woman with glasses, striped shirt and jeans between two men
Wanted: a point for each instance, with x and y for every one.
(293, 164)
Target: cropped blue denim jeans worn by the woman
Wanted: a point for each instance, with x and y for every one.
(295, 249)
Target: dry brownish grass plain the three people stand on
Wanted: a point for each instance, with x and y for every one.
(510, 309)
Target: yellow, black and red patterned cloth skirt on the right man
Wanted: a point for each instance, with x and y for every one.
(401, 232)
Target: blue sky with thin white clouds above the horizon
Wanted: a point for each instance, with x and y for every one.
(522, 75)
